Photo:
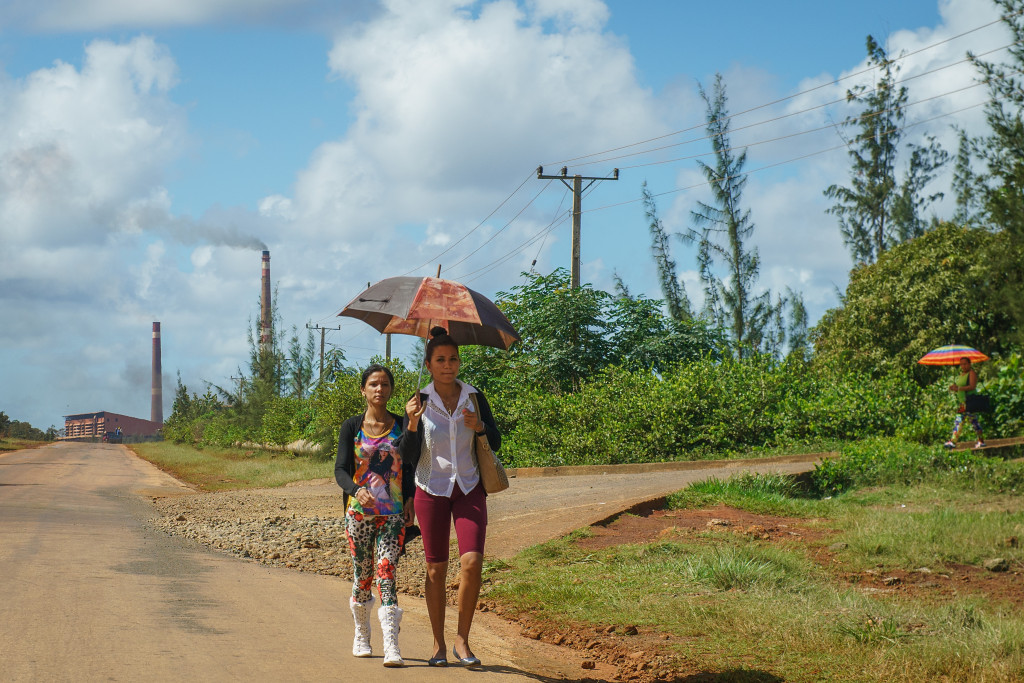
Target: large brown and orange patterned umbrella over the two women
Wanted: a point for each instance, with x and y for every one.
(414, 306)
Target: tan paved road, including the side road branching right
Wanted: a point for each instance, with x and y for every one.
(90, 591)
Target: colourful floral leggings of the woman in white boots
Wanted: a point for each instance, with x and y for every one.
(367, 534)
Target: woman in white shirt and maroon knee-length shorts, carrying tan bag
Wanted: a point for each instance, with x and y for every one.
(443, 421)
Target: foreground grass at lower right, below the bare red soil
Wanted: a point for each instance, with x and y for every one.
(731, 604)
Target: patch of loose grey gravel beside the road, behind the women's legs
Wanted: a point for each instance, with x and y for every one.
(293, 528)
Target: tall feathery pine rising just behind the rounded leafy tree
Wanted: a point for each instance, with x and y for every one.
(877, 211)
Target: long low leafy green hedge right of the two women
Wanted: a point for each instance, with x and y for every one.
(697, 410)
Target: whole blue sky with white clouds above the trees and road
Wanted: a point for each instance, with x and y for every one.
(147, 148)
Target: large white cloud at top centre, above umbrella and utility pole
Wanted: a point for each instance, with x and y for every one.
(454, 109)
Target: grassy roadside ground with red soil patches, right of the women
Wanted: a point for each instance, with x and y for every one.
(732, 602)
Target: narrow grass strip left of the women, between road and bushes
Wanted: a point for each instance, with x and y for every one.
(223, 469)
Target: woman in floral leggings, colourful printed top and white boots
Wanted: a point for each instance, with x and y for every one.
(378, 508)
